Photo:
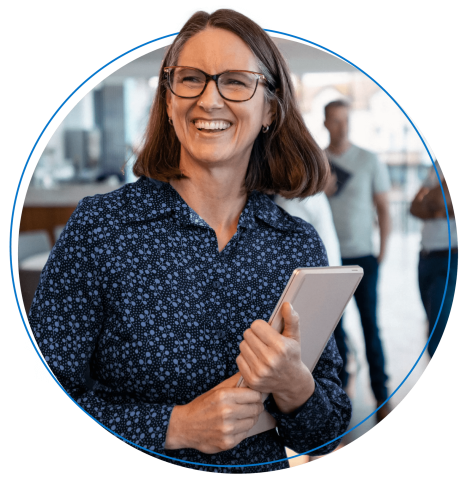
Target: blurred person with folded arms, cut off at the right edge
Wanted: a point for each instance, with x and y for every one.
(429, 206)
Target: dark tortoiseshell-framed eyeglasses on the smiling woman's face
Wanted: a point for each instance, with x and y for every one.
(233, 85)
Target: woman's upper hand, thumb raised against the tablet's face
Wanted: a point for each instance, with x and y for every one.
(270, 362)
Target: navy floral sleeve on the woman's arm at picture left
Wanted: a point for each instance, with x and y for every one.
(67, 317)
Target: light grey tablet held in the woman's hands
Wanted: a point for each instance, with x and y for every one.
(319, 295)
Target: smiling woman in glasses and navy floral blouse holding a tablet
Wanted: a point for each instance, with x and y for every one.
(161, 287)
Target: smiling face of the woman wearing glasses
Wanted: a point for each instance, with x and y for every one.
(215, 51)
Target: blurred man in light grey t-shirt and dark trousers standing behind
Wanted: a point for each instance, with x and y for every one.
(359, 184)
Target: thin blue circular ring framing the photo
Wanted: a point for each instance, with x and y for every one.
(11, 245)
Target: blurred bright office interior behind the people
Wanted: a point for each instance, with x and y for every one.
(92, 151)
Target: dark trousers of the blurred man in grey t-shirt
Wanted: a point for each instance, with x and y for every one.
(365, 297)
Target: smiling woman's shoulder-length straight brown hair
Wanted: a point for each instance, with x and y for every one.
(286, 160)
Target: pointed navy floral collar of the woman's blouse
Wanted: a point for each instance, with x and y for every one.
(149, 199)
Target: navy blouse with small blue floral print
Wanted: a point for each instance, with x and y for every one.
(136, 292)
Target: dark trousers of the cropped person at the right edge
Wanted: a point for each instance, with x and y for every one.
(432, 274)
